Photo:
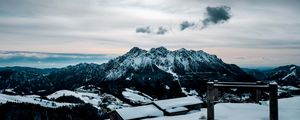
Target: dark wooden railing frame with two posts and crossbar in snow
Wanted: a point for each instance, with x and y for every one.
(212, 92)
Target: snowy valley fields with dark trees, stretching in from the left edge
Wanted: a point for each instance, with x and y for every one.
(92, 98)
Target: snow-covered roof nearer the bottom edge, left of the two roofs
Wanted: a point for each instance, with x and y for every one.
(139, 112)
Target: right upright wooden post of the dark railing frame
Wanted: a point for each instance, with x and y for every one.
(273, 101)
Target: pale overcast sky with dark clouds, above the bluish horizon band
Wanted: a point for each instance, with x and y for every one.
(249, 33)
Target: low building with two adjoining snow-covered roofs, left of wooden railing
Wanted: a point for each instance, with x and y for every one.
(159, 108)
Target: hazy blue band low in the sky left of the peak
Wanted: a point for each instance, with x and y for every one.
(49, 60)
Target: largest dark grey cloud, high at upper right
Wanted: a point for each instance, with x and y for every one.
(215, 15)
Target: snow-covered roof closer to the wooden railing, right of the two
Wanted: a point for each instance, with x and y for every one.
(178, 102)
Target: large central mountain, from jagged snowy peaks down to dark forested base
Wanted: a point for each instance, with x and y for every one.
(164, 73)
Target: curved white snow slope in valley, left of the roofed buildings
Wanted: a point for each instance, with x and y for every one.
(91, 98)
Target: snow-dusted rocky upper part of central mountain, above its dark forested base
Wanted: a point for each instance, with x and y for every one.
(177, 63)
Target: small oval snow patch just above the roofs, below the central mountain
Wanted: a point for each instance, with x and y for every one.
(136, 96)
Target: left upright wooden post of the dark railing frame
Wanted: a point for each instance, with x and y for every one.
(210, 101)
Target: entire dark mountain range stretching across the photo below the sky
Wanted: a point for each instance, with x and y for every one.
(158, 72)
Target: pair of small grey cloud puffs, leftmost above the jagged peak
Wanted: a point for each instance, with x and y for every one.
(148, 30)
